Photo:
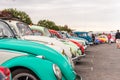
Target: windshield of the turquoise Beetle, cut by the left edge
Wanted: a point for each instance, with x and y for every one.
(5, 30)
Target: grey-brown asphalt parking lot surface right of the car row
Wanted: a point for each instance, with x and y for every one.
(102, 62)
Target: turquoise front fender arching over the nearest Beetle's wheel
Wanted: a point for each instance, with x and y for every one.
(42, 68)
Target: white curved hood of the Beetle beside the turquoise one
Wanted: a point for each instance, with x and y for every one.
(51, 42)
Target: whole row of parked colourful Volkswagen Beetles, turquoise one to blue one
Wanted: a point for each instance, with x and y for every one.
(30, 52)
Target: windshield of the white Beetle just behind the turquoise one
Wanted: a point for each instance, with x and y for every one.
(24, 29)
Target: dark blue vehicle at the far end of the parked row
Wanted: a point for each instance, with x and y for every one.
(84, 35)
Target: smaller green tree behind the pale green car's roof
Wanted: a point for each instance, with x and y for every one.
(48, 24)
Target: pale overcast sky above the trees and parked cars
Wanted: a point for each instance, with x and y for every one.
(84, 15)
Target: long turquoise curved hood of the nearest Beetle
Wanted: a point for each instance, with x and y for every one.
(39, 49)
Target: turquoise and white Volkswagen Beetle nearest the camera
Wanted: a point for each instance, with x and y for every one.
(32, 61)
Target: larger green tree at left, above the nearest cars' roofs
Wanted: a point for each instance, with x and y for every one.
(19, 14)
